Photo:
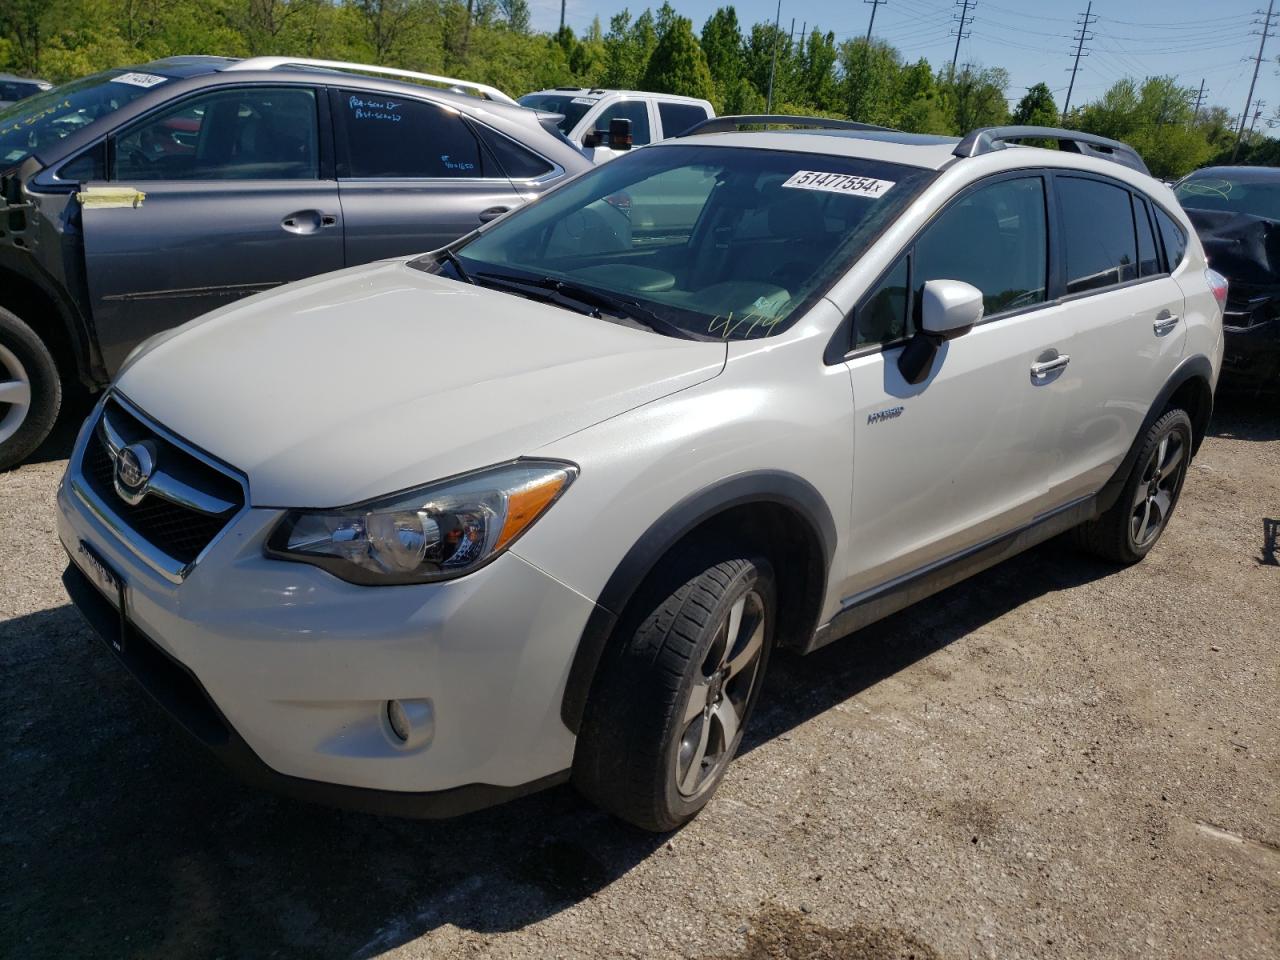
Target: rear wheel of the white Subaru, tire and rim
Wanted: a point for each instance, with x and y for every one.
(1122, 536)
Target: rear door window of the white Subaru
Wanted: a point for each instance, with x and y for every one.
(1098, 230)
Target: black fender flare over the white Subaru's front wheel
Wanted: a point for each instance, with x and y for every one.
(758, 487)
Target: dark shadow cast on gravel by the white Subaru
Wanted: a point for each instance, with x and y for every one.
(121, 838)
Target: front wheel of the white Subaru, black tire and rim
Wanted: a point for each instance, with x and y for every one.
(637, 748)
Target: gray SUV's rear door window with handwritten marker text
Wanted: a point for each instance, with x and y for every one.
(391, 139)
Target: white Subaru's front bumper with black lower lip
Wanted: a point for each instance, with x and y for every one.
(285, 671)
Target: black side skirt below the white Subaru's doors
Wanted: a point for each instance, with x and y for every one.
(898, 595)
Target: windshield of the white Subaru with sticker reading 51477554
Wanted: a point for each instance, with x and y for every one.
(719, 243)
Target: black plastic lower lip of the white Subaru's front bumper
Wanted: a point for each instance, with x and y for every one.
(185, 700)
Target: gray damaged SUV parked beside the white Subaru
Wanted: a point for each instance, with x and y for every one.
(140, 198)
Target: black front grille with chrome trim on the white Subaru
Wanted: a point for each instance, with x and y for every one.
(179, 531)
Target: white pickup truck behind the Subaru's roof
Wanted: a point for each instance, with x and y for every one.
(588, 113)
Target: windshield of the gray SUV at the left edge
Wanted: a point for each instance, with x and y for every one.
(58, 113)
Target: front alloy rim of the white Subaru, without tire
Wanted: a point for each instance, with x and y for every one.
(720, 697)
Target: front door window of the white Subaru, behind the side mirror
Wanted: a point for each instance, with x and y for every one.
(994, 239)
